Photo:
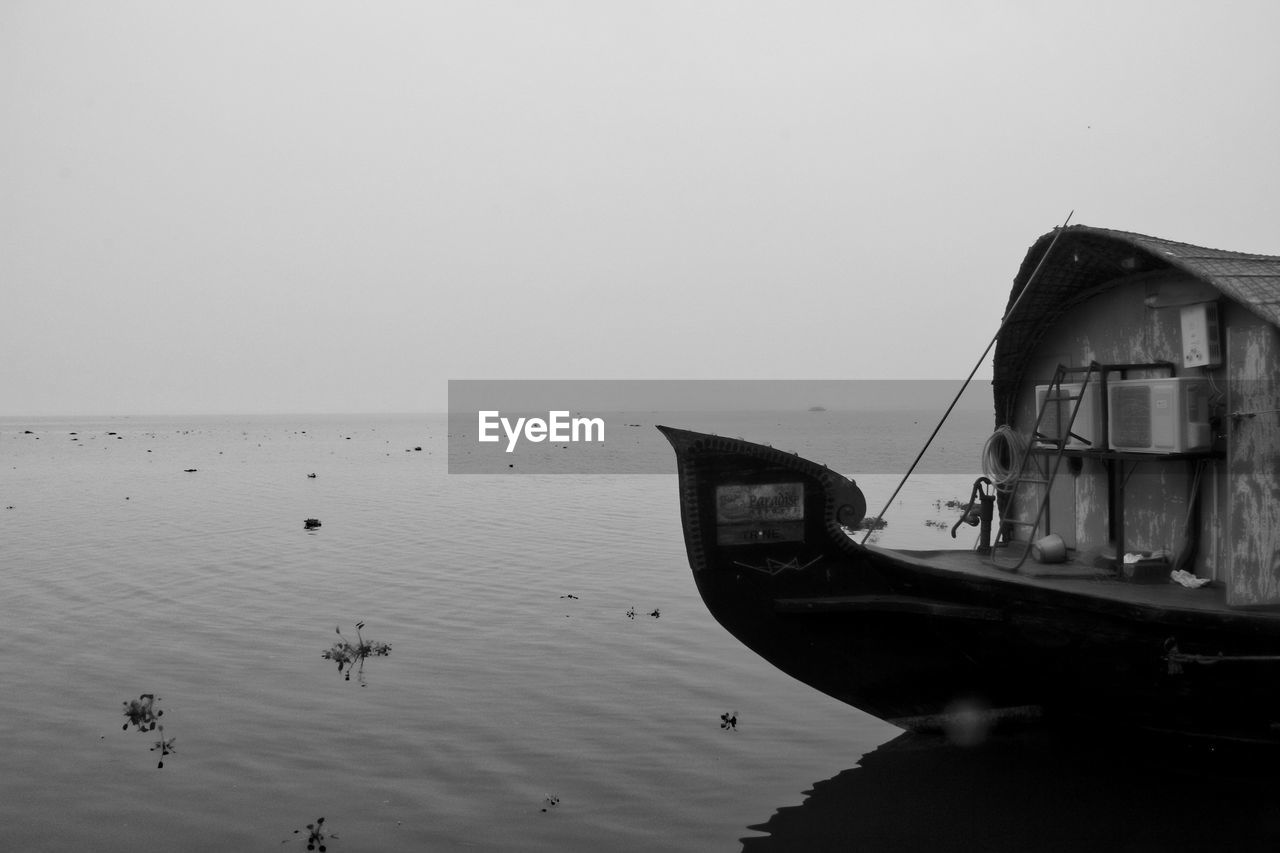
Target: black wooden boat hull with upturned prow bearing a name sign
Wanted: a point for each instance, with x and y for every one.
(940, 640)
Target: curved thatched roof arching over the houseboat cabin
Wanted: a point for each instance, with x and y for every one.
(1086, 262)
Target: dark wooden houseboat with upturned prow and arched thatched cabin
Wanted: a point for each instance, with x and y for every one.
(1130, 571)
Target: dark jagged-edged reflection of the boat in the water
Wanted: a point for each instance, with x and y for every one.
(1032, 792)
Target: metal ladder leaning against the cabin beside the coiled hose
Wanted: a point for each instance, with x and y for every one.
(1034, 469)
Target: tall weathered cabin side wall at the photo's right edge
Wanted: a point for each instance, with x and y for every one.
(1254, 462)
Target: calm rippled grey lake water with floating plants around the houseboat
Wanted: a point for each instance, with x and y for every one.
(555, 682)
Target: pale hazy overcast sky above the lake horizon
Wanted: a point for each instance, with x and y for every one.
(337, 207)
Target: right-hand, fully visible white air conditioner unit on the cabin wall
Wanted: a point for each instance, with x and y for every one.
(1159, 416)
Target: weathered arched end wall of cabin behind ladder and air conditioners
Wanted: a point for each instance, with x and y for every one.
(1118, 327)
